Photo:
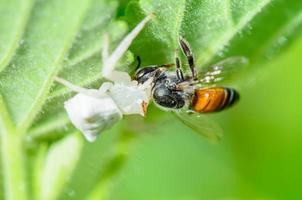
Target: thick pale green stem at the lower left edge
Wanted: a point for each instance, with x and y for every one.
(12, 155)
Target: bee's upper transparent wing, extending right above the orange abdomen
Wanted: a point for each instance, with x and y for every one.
(223, 70)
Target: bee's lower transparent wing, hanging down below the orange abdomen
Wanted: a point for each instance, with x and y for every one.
(200, 124)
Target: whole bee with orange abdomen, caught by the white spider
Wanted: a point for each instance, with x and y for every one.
(189, 96)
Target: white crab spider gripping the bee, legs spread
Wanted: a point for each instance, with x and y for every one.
(94, 110)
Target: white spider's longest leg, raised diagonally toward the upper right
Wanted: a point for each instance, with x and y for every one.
(110, 62)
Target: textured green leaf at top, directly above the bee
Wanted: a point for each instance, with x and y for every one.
(215, 28)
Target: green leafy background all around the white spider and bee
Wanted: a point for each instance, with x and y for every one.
(43, 156)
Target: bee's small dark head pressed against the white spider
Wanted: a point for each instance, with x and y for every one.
(142, 75)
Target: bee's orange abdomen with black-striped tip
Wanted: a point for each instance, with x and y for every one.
(214, 99)
